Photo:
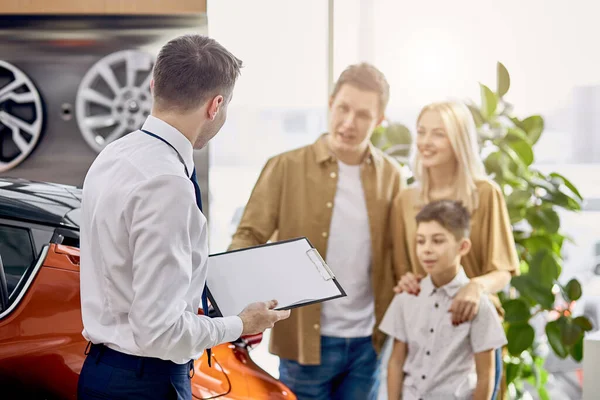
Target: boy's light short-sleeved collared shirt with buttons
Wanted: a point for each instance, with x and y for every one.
(440, 362)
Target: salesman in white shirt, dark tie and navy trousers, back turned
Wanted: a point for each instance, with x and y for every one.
(144, 239)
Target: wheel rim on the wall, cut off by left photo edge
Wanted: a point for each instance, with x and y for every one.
(21, 116)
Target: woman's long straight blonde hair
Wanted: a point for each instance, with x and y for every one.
(462, 134)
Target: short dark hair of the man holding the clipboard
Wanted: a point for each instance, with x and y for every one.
(190, 69)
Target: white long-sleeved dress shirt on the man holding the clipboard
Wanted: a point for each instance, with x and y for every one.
(144, 249)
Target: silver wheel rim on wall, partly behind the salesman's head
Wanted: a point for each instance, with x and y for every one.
(114, 97)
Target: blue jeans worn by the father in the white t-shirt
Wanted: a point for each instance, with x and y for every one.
(348, 370)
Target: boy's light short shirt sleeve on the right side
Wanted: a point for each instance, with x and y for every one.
(487, 332)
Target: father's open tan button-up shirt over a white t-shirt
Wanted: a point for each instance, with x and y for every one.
(293, 197)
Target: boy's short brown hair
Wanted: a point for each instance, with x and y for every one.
(450, 214)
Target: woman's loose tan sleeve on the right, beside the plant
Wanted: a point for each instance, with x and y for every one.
(500, 253)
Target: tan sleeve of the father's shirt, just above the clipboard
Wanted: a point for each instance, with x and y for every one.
(261, 214)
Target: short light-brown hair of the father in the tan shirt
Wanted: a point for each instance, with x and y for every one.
(365, 77)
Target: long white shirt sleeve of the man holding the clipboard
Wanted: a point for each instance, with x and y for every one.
(162, 213)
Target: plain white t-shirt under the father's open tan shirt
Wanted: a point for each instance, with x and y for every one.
(349, 256)
